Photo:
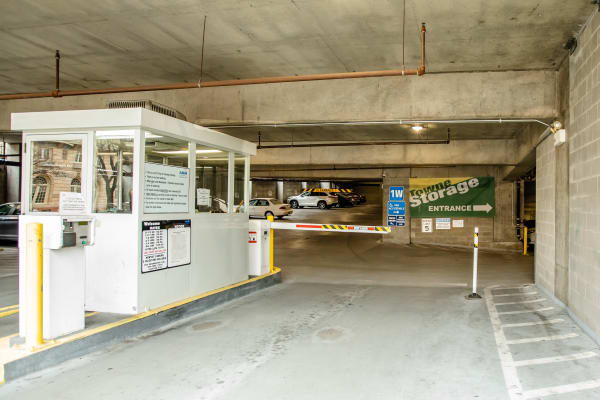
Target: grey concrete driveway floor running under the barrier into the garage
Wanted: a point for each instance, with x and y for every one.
(353, 319)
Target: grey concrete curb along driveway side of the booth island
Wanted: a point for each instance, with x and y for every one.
(55, 355)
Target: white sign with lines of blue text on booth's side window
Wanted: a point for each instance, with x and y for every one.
(166, 189)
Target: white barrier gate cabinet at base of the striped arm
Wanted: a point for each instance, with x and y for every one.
(259, 242)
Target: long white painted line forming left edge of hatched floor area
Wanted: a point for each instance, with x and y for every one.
(511, 378)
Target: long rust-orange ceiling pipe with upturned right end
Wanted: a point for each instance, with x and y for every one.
(231, 82)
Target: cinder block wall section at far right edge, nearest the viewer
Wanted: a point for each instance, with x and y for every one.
(584, 177)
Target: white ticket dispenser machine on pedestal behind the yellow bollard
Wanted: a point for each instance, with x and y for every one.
(64, 242)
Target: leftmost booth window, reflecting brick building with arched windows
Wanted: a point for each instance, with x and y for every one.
(53, 168)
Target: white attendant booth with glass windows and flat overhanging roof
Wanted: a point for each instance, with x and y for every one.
(139, 210)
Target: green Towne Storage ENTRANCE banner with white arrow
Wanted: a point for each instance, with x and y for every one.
(453, 197)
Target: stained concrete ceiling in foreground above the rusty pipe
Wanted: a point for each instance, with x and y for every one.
(115, 43)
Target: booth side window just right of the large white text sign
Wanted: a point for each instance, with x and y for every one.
(211, 179)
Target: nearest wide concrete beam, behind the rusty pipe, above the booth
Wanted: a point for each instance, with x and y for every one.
(510, 94)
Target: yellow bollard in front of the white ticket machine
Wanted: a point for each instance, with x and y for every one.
(34, 277)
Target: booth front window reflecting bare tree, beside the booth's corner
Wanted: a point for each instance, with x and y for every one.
(113, 189)
